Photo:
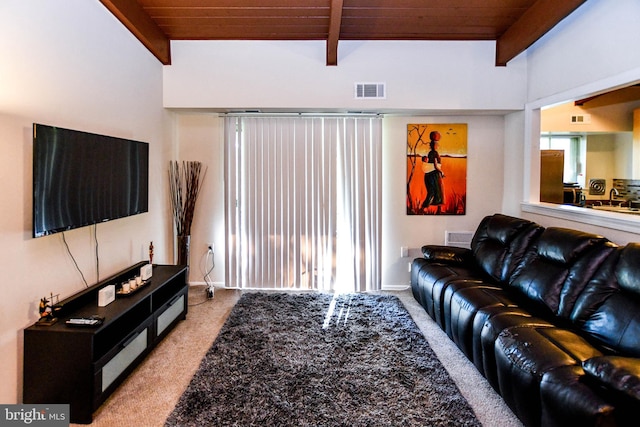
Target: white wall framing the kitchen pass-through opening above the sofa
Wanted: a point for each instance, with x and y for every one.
(593, 50)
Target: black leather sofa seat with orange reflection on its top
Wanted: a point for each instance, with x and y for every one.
(524, 354)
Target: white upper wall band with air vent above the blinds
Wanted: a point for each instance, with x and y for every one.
(436, 76)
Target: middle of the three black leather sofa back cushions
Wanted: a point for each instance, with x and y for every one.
(557, 268)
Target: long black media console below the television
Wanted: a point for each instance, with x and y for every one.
(81, 365)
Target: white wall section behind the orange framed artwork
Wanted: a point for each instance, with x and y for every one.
(485, 151)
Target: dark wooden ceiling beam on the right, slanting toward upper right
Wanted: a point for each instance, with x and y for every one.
(533, 24)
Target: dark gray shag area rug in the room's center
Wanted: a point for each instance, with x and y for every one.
(313, 359)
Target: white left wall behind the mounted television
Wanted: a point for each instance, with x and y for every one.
(69, 64)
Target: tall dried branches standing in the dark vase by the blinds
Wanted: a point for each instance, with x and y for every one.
(184, 187)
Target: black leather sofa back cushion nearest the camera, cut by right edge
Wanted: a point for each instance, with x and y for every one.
(609, 308)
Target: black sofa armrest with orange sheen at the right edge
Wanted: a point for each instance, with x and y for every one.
(618, 373)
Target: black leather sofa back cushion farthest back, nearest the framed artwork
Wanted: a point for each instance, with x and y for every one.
(500, 242)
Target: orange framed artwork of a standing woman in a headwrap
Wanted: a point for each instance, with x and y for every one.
(437, 169)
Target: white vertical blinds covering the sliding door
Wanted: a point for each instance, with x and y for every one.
(303, 202)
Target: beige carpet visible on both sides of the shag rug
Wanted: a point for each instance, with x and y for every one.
(150, 393)
